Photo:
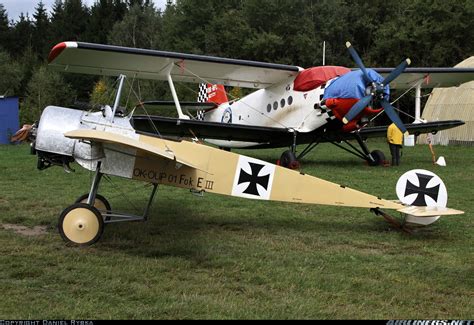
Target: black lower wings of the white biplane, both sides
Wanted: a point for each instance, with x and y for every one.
(267, 136)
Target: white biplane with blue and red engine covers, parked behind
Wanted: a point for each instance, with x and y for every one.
(290, 105)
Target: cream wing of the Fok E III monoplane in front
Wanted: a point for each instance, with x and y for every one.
(125, 141)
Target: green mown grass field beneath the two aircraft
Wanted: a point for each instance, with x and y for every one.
(223, 258)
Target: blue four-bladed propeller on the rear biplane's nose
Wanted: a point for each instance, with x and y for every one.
(375, 91)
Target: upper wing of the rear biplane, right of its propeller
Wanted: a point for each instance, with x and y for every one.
(429, 77)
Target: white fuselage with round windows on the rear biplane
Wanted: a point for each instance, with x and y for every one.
(277, 106)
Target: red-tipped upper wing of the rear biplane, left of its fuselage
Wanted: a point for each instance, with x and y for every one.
(111, 60)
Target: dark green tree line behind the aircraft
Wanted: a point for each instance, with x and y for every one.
(434, 33)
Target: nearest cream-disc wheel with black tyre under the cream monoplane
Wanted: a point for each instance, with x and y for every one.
(81, 224)
